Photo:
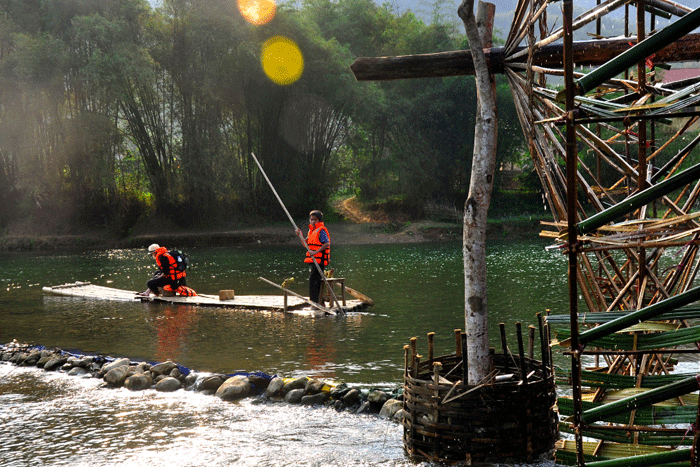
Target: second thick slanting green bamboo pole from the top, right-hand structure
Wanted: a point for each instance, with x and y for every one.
(638, 200)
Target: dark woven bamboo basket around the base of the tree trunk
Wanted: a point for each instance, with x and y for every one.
(504, 420)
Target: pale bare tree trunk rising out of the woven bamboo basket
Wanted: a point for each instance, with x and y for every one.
(477, 203)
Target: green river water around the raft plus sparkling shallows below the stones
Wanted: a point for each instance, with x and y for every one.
(54, 419)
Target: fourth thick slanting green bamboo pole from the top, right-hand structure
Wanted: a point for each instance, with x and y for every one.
(641, 400)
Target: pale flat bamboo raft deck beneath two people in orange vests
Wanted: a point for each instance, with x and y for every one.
(275, 303)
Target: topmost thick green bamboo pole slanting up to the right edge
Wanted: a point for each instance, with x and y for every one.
(639, 52)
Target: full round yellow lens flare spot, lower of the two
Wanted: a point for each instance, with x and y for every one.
(282, 60)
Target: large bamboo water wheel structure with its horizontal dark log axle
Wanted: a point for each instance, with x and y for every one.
(614, 148)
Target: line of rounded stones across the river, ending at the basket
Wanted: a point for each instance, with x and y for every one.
(169, 376)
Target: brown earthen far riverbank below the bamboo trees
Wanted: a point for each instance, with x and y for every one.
(343, 232)
